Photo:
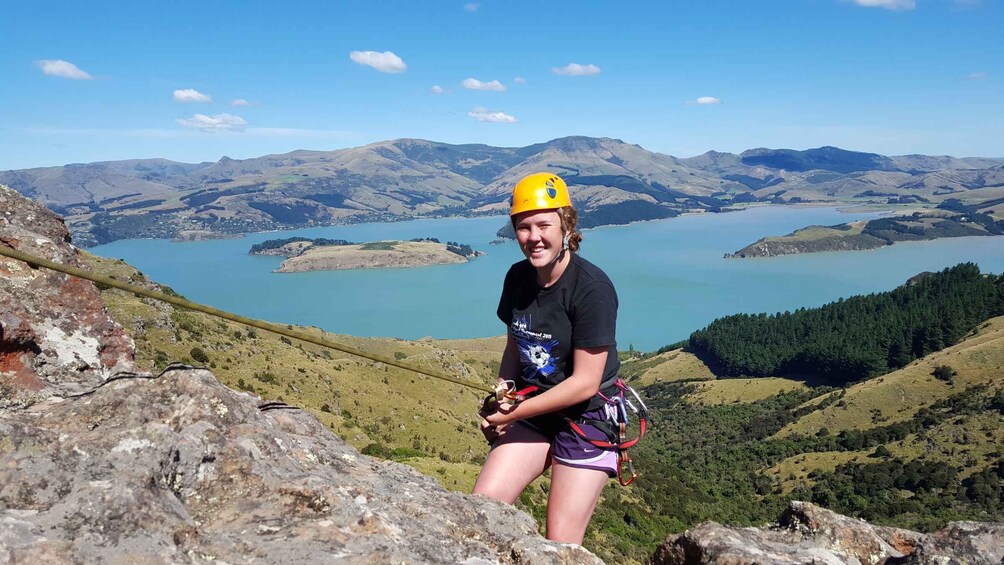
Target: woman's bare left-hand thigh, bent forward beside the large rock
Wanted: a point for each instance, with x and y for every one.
(521, 456)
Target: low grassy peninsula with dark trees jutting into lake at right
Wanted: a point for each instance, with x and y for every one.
(920, 226)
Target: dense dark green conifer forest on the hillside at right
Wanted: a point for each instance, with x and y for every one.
(857, 339)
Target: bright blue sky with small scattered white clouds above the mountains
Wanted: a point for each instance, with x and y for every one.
(85, 82)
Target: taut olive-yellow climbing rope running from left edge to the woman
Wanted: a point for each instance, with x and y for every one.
(268, 327)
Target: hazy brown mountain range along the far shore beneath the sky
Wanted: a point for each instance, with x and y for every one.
(612, 182)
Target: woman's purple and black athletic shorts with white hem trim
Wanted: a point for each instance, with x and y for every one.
(569, 448)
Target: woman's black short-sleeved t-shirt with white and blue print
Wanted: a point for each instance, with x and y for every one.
(578, 312)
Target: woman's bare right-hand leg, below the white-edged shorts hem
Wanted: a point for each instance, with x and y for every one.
(574, 497)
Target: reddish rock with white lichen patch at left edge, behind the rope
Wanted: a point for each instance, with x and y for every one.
(55, 335)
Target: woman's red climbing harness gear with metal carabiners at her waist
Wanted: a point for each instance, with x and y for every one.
(615, 426)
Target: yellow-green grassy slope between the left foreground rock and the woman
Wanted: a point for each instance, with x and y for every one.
(364, 403)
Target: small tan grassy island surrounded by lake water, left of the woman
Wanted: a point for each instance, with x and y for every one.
(305, 254)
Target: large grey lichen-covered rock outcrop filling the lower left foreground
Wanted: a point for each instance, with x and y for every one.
(100, 465)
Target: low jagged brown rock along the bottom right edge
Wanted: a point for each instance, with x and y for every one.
(808, 534)
